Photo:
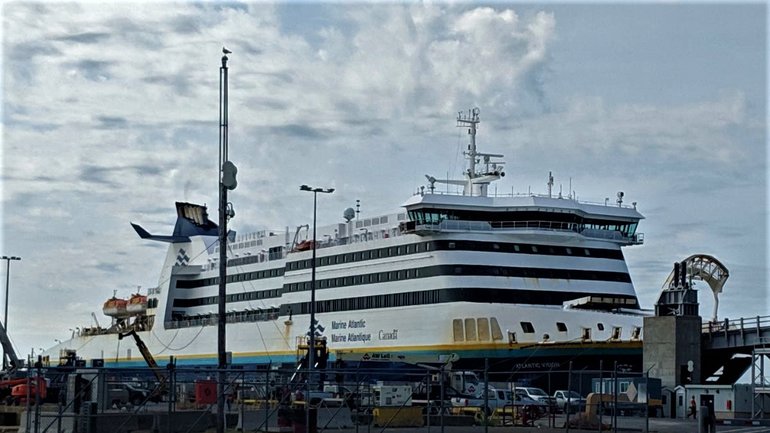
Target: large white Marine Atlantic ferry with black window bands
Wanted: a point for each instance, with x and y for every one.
(528, 282)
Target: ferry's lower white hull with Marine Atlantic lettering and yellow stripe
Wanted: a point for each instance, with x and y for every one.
(412, 335)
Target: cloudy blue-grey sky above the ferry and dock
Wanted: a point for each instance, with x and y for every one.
(109, 115)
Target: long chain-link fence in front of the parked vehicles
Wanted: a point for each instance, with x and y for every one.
(271, 398)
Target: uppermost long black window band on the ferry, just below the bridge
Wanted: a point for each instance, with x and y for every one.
(420, 247)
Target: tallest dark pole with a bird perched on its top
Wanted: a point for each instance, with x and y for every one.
(221, 311)
